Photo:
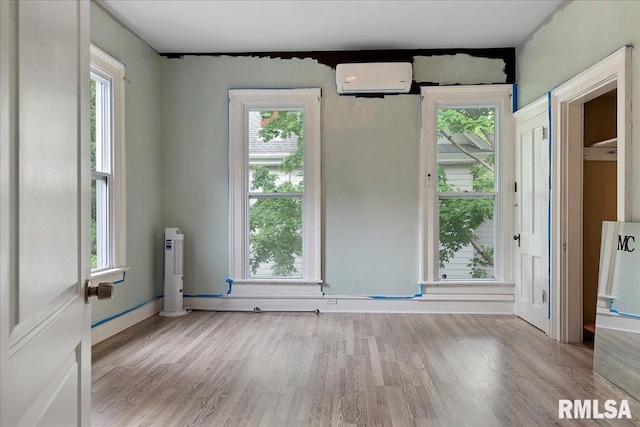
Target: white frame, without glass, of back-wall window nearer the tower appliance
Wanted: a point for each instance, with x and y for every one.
(241, 101)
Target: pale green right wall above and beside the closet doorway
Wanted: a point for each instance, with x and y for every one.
(576, 37)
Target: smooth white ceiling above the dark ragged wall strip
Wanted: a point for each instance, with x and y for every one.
(218, 26)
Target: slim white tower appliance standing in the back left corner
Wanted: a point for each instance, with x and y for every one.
(173, 249)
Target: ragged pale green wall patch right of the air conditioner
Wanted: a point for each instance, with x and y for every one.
(459, 69)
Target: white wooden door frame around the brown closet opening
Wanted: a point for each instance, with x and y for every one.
(567, 103)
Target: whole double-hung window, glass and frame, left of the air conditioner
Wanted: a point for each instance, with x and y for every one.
(274, 161)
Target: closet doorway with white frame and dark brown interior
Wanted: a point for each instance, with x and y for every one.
(576, 107)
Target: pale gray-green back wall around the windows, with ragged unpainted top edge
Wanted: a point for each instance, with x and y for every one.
(370, 168)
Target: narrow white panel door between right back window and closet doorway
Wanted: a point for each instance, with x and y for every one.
(532, 214)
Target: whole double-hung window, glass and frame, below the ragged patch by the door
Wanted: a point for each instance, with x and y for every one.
(466, 149)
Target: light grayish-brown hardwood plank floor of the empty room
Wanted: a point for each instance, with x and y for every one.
(282, 369)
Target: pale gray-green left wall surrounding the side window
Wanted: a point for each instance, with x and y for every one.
(144, 163)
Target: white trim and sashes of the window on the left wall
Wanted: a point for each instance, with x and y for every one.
(111, 75)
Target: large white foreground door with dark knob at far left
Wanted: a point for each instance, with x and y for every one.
(44, 215)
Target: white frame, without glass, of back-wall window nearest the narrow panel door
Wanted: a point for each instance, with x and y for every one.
(432, 99)
